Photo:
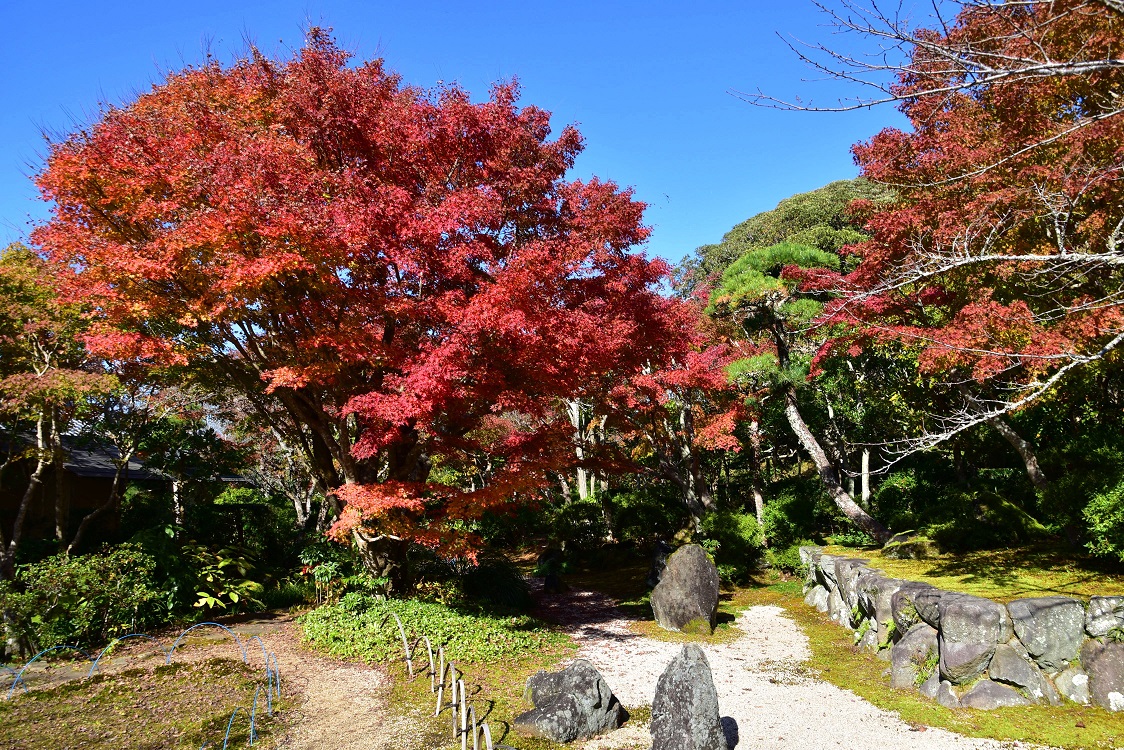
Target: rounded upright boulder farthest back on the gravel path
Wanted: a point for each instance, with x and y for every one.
(687, 597)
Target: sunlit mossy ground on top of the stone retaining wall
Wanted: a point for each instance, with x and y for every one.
(1002, 575)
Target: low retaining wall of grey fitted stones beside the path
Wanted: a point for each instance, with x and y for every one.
(968, 652)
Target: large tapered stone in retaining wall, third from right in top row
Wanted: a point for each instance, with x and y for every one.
(971, 630)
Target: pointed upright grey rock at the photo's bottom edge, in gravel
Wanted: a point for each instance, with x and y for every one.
(685, 711)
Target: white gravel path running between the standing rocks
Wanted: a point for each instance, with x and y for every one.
(762, 688)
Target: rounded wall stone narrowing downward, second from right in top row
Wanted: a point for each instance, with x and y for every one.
(1052, 629)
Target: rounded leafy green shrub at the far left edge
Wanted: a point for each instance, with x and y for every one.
(85, 600)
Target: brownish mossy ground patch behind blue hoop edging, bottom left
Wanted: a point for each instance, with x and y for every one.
(180, 706)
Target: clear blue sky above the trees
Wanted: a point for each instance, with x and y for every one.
(648, 84)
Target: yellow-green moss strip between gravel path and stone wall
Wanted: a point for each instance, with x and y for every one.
(836, 659)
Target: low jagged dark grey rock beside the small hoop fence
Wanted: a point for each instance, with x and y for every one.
(573, 704)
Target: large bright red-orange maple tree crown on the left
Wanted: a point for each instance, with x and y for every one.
(397, 279)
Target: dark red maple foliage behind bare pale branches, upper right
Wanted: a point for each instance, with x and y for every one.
(999, 260)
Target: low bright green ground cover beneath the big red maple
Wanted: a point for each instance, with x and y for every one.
(360, 627)
